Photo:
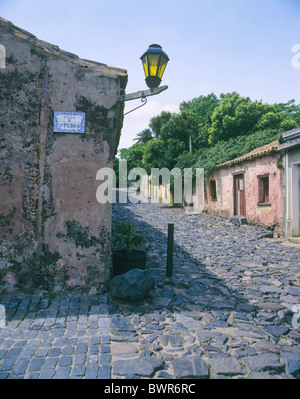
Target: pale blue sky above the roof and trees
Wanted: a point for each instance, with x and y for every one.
(215, 46)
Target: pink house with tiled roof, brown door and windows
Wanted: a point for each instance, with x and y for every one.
(249, 188)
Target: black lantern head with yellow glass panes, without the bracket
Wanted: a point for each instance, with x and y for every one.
(154, 63)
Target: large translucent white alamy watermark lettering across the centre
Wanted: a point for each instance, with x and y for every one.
(155, 187)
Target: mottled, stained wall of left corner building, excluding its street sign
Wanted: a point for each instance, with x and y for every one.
(54, 233)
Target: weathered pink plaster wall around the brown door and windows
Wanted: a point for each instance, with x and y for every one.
(269, 216)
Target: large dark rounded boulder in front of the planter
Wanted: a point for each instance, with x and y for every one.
(132, 285)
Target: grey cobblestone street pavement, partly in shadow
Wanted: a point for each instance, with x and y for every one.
(225, 313)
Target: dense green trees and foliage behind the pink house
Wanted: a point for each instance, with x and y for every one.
(208, 131)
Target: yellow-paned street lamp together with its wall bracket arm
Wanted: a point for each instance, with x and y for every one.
(154, 63)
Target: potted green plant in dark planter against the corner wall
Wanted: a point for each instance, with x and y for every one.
(128, 257)
